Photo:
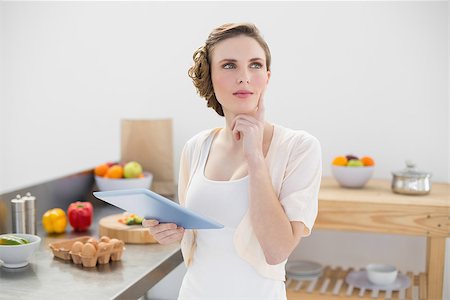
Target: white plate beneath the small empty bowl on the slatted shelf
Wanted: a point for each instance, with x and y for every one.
(360, 280)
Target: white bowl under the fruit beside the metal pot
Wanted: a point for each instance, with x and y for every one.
(352, 177)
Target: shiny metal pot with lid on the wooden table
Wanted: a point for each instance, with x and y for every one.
(410, 181)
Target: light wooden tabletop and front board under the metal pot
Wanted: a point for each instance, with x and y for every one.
(375, 208)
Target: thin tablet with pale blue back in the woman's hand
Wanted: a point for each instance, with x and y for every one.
(151, 205)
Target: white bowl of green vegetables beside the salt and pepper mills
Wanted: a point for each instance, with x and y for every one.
(16, 256)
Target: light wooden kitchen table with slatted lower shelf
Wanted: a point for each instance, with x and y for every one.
(376, 209)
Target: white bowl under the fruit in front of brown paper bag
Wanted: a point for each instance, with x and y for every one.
(109, 184)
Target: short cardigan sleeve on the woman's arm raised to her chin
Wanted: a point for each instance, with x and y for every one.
(301, 183)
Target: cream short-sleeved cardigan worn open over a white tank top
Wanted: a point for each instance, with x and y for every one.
(295, 166)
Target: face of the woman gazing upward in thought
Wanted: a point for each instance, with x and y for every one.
(239, 74)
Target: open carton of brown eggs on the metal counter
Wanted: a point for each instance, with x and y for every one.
(77, 250)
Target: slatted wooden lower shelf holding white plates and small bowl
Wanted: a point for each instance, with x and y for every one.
(331, 285)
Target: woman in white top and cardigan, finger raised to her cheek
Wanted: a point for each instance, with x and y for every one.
(258, 179)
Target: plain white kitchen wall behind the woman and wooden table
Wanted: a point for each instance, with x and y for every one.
(366, 78)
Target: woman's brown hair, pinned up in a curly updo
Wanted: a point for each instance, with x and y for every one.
(200, 72)
